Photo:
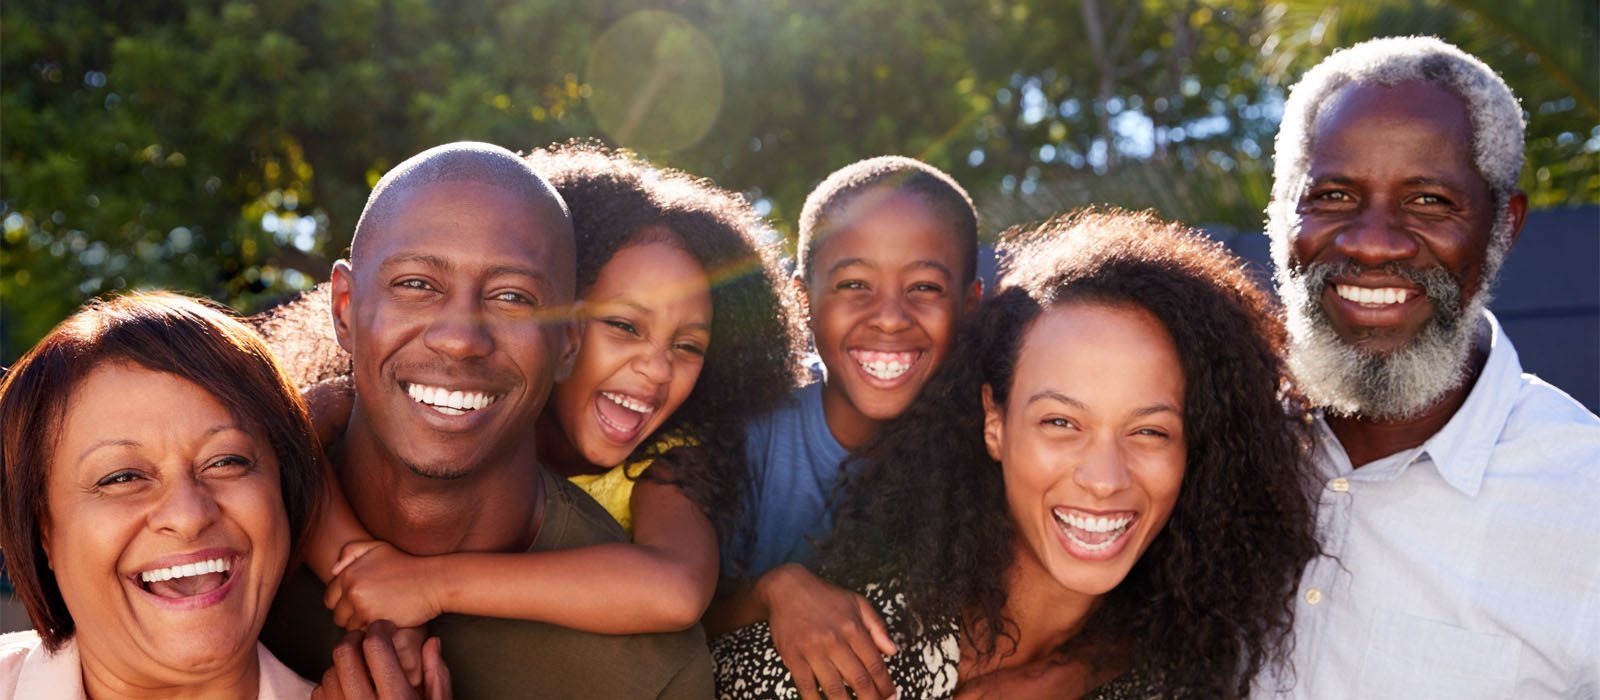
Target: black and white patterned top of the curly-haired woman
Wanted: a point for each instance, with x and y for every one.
(750, 669)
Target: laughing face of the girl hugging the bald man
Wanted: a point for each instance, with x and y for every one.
(644, 343)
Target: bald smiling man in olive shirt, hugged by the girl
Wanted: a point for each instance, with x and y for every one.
(455, 311)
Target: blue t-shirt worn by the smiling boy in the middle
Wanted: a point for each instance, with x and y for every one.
(794, 466)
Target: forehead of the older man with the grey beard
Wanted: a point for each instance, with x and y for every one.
(1369, 124)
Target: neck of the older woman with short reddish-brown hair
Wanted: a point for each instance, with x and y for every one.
(239, 678)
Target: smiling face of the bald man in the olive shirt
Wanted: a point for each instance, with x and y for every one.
(457, 324)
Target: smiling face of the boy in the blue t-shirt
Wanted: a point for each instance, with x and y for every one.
(886, 293)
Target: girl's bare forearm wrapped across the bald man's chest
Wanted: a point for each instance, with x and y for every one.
(615, 589)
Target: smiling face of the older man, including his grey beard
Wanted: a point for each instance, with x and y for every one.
(1388, 266)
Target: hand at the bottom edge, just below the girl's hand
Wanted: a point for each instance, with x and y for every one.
(366, 667)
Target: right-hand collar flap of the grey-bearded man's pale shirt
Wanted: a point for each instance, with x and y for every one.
(1463, 448)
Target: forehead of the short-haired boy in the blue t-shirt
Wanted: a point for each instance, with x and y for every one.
(890, 231)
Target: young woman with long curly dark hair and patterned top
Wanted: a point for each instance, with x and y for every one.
(1102, 493)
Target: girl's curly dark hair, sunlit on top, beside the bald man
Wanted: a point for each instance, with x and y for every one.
(620, 201)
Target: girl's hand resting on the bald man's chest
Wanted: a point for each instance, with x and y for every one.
(377, 581)
